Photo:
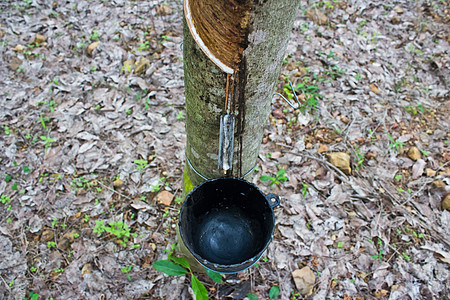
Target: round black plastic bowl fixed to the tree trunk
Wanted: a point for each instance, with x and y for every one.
(227, 223)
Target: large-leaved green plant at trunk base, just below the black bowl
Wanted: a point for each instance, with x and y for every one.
(176, 266)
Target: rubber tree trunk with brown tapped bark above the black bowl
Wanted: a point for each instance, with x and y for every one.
(250, 37)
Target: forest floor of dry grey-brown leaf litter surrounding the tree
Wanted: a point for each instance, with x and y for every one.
(92, 133)
